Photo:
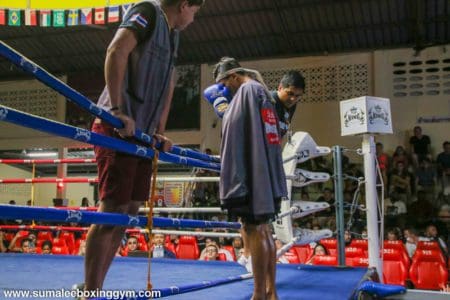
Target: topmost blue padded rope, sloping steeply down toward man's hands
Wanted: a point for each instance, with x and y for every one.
(73, 95)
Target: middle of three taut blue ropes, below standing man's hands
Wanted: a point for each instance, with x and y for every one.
(86, 136)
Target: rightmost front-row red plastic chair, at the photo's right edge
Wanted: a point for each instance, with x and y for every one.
(427, 270)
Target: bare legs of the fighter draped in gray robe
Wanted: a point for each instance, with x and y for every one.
(257, 245)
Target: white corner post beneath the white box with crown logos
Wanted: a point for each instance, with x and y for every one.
(368, 147)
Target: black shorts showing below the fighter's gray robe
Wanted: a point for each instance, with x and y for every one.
(241, 208)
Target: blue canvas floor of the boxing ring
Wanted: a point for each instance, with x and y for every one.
(293, 281)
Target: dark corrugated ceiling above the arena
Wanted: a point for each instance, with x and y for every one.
(251, 29)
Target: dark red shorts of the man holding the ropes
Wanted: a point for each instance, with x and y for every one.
(122, 177)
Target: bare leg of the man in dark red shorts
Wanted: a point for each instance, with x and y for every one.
(101, 246)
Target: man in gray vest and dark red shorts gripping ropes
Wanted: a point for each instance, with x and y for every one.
(139, 75)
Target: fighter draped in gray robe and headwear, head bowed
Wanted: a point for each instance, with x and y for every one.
(252, 179)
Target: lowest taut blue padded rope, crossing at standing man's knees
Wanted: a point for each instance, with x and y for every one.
(13, 212)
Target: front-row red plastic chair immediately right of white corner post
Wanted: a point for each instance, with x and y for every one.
(394, 269)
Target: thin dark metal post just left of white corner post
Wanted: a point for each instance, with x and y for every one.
(339, 201)
